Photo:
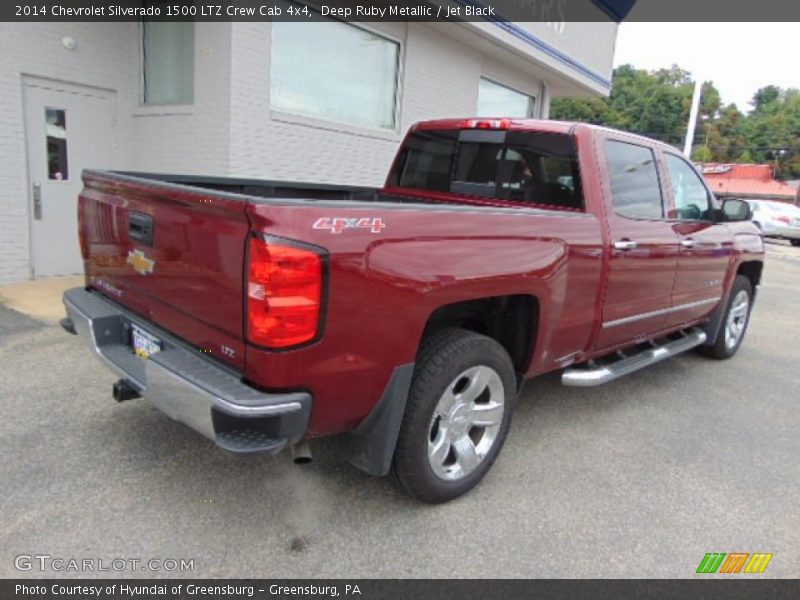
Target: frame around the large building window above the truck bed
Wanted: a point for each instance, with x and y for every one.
(282, 114)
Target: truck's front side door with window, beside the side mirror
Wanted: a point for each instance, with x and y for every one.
(705, 246)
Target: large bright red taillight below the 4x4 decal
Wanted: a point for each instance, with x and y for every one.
(284, 294)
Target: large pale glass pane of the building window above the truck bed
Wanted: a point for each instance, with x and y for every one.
(334, 71)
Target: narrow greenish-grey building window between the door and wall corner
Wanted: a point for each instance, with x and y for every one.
(168, 62)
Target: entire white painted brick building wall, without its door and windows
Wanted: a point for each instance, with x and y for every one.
(230, 129)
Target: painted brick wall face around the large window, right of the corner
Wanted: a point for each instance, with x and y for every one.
(439, 79)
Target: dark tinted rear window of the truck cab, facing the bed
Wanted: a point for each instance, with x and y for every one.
(527, 167)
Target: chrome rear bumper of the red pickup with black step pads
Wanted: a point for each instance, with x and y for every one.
(190, 388)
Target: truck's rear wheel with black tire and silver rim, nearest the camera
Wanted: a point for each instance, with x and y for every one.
(457, 415)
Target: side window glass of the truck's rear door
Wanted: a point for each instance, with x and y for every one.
(635, 188)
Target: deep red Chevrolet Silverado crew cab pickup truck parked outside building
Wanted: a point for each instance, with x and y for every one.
(405, 319)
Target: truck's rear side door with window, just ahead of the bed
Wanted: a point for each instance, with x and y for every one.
(644, 245)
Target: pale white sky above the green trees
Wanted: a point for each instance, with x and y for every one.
(738, 57)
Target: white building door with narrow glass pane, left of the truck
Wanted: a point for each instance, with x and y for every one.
(68, 128)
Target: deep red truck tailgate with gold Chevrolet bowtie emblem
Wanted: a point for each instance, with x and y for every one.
(171, 254)
